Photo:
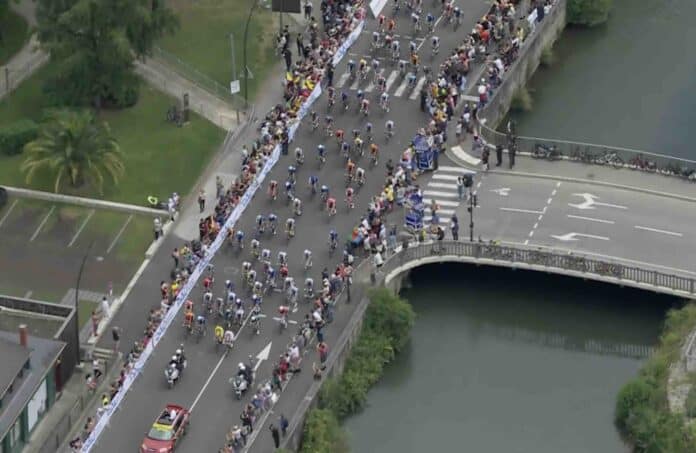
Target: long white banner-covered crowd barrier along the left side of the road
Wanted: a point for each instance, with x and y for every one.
(203, 264)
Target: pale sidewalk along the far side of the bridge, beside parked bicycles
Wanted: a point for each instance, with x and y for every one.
(624, 178)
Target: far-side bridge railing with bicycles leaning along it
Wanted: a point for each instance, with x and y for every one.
(589, 153)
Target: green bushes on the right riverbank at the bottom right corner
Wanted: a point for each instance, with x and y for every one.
(642, 412)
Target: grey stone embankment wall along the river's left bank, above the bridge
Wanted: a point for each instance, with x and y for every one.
(517, 76)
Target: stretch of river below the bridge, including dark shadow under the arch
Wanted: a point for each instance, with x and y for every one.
(508, 361)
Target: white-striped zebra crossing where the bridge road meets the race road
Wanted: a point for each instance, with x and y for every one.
(442, 188)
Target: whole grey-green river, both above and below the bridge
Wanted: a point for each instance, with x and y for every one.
(484, 371)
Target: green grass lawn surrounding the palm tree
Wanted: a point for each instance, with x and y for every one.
(159, 157)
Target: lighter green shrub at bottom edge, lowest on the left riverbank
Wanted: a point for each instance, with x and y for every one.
(323, 434)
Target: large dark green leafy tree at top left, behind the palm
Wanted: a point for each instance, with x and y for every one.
(94, 43)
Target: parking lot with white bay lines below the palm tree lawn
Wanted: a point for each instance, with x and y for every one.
(42, 246)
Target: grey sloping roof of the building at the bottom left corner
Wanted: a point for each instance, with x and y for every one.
(43, 353)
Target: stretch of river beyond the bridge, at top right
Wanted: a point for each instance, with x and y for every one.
(630, 82)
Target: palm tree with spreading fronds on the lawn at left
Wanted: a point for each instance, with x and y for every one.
(72, 145)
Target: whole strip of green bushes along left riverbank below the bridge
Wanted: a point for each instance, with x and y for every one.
(385, 331)
